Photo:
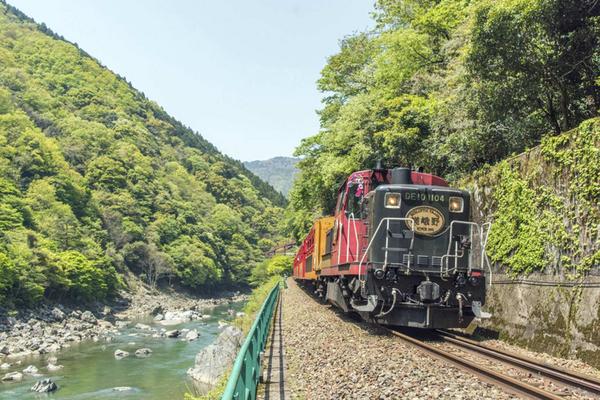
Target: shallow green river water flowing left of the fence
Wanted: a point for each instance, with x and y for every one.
(92, 372)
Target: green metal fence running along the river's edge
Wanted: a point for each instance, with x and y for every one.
(244, 376)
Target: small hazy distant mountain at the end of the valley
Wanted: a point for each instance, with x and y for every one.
(279, 172)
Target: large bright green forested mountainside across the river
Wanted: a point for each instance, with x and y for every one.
(96, 180)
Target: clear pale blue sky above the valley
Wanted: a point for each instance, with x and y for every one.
(242, 73)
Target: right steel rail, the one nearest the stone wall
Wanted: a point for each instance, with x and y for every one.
(580, 381)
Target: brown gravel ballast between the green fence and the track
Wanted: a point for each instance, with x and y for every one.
(331, 357)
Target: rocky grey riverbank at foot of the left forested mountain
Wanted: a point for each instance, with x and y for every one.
(51, 328)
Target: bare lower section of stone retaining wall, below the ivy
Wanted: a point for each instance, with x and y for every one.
(562, 321)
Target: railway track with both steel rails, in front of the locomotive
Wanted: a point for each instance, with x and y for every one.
(590, 387)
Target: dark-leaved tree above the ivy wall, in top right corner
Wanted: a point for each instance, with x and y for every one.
(543, 56)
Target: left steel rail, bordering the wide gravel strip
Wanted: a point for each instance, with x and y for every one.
(512, 385)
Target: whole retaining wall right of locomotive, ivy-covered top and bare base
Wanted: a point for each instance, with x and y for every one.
(544, 206)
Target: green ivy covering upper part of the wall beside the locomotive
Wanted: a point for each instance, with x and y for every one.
(545, 205)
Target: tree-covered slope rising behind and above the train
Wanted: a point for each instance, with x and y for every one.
(449, 85)
